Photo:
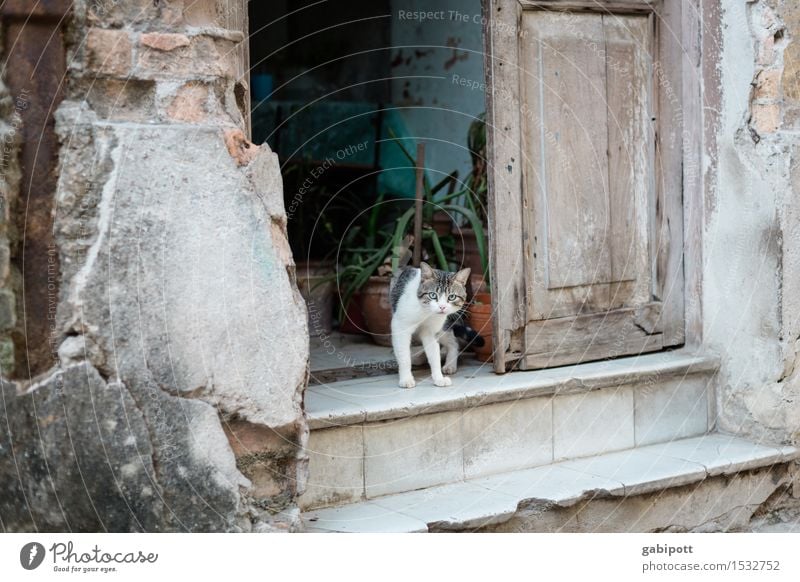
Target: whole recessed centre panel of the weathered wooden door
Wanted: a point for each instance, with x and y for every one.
(588, 248)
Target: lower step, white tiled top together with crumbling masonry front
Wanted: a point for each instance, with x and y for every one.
(519, 498)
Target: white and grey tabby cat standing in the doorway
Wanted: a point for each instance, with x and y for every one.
(427, 304)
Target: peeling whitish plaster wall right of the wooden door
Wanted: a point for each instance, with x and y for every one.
(751, 298)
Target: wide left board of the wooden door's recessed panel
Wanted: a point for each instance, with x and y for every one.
(567, 183)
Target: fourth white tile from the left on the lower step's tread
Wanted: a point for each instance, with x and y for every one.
(639, 471)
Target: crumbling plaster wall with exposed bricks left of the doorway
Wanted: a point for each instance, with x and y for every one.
(175, 397)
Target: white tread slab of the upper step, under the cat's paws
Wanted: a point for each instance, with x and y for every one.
(379, 398)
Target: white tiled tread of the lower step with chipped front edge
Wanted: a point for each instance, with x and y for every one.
(495, 499)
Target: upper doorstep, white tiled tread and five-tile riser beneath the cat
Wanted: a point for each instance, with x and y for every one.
(370, 438)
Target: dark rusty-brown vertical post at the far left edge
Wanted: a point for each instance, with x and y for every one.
(36, 64)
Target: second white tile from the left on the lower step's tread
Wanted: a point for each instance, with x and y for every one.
(453, 506)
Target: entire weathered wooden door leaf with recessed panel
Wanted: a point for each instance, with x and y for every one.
(585, 180)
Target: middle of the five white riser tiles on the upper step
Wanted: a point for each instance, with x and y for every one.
(507, 436)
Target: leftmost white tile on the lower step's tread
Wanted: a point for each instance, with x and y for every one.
(361, 518)
